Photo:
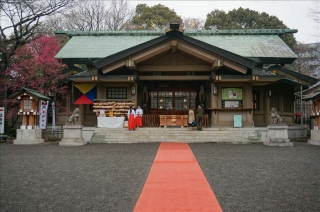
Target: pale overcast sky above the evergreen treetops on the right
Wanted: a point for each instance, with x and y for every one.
(294, 14)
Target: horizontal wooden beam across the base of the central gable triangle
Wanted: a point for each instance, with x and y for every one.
(151, 68)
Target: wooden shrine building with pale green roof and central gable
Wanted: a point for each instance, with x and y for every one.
(229, 72)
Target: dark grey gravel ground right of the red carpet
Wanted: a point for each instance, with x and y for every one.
(262, 178)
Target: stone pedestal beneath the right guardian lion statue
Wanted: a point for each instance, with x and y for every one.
(278, 136)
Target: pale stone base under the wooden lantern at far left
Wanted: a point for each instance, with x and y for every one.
(28, 136)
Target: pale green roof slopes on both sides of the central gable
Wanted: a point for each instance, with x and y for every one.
(263, 46)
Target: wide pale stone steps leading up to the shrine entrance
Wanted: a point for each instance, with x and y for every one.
(175, 134)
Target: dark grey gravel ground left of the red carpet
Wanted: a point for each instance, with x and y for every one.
(96, 177)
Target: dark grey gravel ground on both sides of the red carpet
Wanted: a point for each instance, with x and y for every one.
(110, 177)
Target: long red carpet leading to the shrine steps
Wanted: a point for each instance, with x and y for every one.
(176, 183)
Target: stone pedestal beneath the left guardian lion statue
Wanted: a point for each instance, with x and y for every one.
(72, 135)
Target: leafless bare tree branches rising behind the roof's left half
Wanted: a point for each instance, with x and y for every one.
(93, 15)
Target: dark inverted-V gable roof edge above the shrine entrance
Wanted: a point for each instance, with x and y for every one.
(175, 34)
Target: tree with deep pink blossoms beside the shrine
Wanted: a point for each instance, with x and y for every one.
(34, 66)
